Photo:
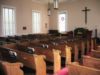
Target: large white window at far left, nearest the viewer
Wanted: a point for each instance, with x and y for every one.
(8, 20)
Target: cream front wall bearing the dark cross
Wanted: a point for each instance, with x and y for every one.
(76, 16)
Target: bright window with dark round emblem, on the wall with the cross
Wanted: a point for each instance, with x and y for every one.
(62, 22)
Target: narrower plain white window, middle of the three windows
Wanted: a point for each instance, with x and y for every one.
(36, 21)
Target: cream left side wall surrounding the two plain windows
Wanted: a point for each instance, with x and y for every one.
(24, 14)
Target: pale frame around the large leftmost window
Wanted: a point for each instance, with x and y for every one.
(2, 27)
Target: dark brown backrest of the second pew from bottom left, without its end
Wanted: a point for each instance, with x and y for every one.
(26, 58)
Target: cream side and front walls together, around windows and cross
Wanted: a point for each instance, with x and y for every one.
(75, 15)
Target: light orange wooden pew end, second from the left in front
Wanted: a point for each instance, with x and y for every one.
(40, 64)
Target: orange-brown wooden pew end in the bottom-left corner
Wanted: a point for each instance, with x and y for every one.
(12, 68)
